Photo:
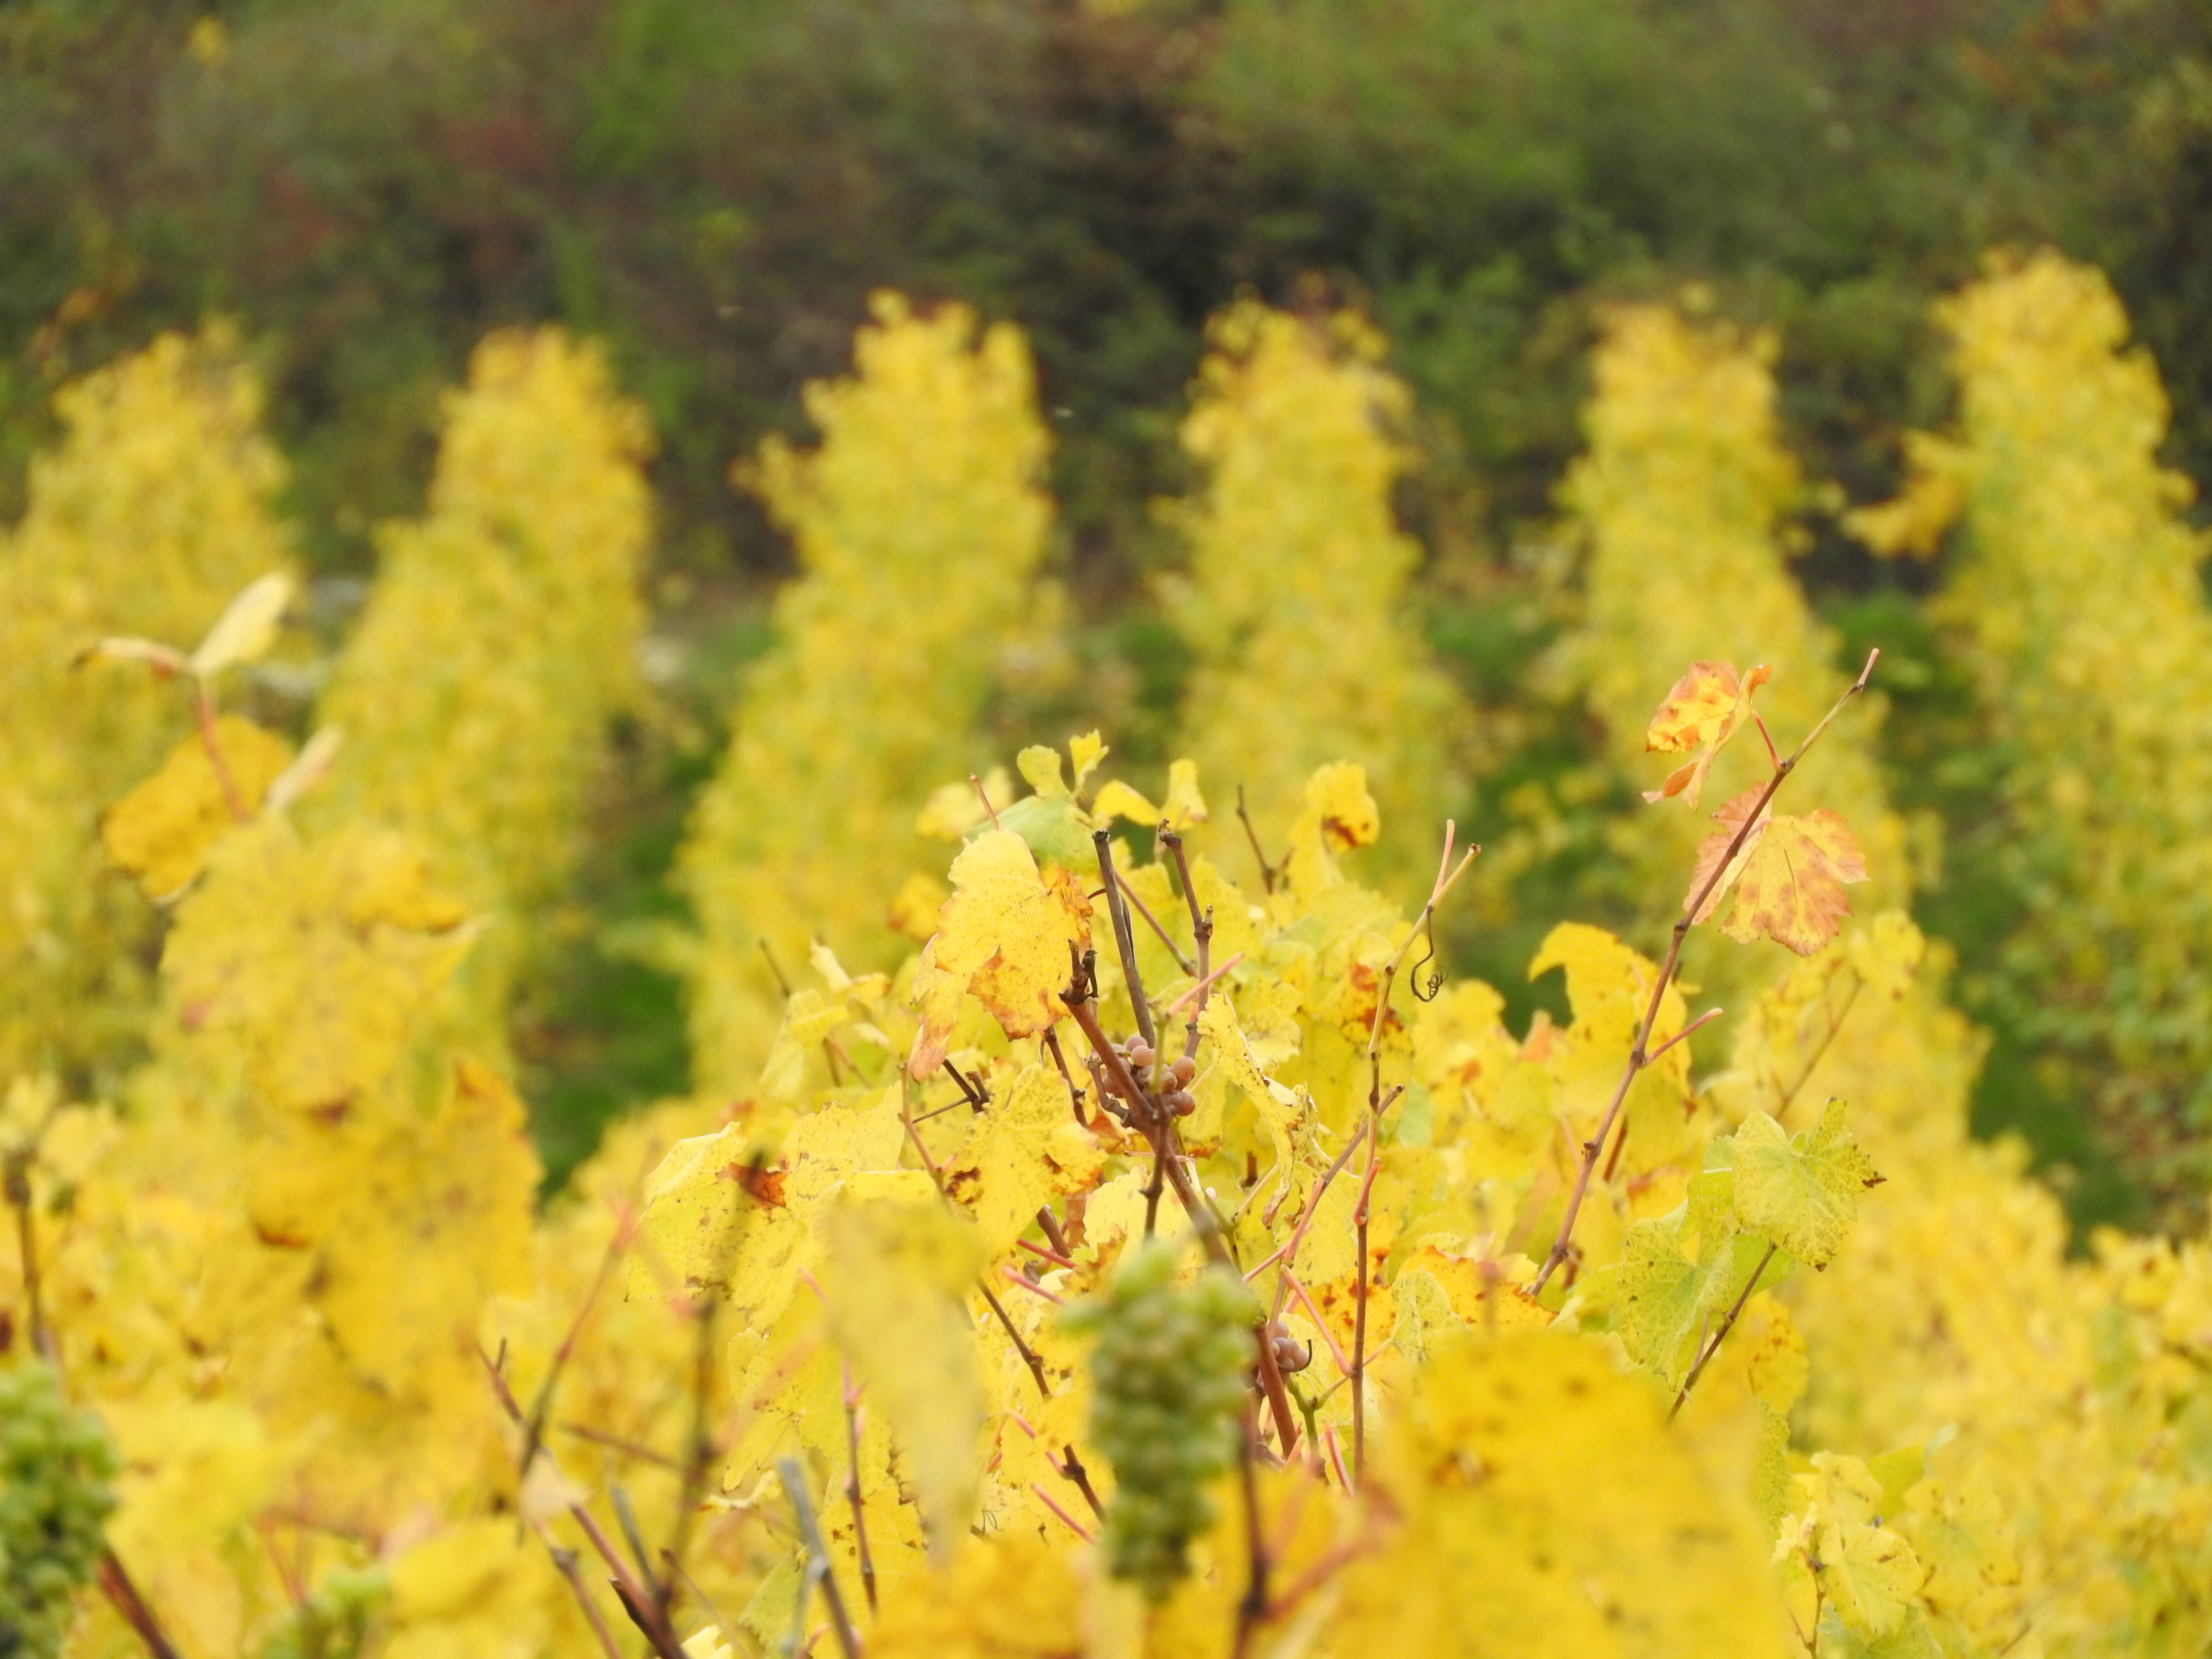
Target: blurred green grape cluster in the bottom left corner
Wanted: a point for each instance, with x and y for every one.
(54, 1494)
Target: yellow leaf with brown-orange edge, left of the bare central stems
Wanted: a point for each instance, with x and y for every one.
(1003, 939)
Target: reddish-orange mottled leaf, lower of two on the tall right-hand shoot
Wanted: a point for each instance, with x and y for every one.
(1786, 881)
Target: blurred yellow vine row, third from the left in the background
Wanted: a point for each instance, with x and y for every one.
(919, 525)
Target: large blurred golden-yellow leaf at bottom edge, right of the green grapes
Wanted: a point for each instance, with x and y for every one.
(1538, 1485)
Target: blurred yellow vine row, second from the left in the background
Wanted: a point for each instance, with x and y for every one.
(499, 645)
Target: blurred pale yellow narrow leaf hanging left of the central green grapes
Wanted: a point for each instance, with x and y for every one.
(897, 1269)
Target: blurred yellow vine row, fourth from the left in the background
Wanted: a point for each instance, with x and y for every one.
(1295, 603)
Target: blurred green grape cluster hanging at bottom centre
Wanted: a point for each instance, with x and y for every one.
(1169, 1384)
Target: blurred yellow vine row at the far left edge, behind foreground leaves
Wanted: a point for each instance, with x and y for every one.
(147, 519)
